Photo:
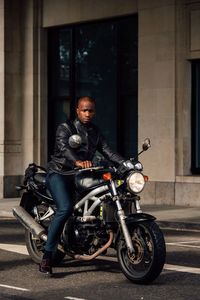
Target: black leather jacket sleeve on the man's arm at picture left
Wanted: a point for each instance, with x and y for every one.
(63, 149)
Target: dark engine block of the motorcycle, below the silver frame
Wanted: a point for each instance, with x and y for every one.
(84, 237)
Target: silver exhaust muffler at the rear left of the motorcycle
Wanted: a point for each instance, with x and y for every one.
(29, 223)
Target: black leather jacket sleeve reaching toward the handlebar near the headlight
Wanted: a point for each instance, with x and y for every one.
(107, 152)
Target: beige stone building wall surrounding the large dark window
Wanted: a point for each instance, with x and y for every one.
(168, 40)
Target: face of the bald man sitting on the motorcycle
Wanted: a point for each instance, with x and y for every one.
(85, 111)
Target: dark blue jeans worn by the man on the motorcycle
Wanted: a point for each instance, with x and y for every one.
(59, 187)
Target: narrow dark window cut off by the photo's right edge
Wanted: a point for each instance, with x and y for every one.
(196, 117)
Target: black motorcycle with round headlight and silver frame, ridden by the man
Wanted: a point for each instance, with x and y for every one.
(107, 214)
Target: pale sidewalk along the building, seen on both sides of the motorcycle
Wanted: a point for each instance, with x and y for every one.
(175, 217)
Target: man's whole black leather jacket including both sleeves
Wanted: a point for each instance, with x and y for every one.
(92, 141)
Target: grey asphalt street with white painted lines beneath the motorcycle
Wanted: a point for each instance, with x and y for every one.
(99, 279)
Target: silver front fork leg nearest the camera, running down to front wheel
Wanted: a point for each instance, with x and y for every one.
(122, 218)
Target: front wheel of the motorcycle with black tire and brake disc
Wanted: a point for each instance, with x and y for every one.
(146, 264)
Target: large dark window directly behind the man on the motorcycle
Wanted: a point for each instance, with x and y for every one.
(100, 60)
